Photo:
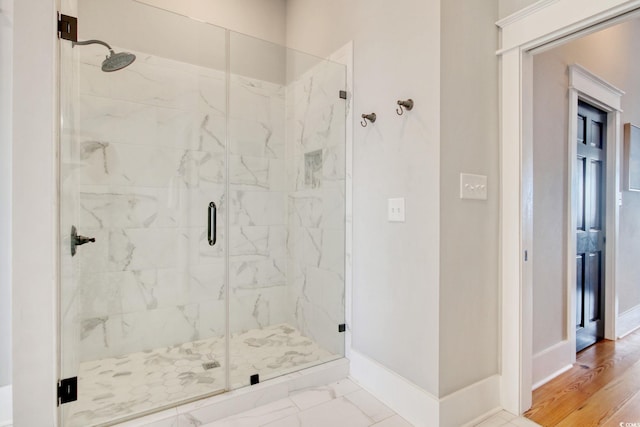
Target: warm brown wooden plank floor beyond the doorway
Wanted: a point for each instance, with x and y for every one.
(602, 388)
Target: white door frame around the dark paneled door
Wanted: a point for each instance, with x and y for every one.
(586, 86)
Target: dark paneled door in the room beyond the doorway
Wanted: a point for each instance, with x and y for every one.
(590, 233)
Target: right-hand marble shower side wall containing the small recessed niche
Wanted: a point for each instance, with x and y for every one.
(316, 205)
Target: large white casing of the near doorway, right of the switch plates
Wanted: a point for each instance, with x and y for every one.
(541, 25)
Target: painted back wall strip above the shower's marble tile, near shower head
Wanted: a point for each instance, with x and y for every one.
(189, 40)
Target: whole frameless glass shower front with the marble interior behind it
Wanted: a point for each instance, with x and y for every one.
(152, 314)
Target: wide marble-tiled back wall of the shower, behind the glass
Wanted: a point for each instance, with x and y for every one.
(152, 156)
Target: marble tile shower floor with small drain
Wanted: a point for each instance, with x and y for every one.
(123, 386)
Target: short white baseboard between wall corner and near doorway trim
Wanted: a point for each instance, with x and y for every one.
(471, 403)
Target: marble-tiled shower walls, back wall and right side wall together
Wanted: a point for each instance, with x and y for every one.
(150, 157)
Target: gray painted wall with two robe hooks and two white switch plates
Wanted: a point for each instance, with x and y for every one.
(392, 283)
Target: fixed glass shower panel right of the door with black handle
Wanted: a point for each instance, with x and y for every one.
(287, 210)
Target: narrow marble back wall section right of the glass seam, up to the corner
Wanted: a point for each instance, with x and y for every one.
(258, 204)
